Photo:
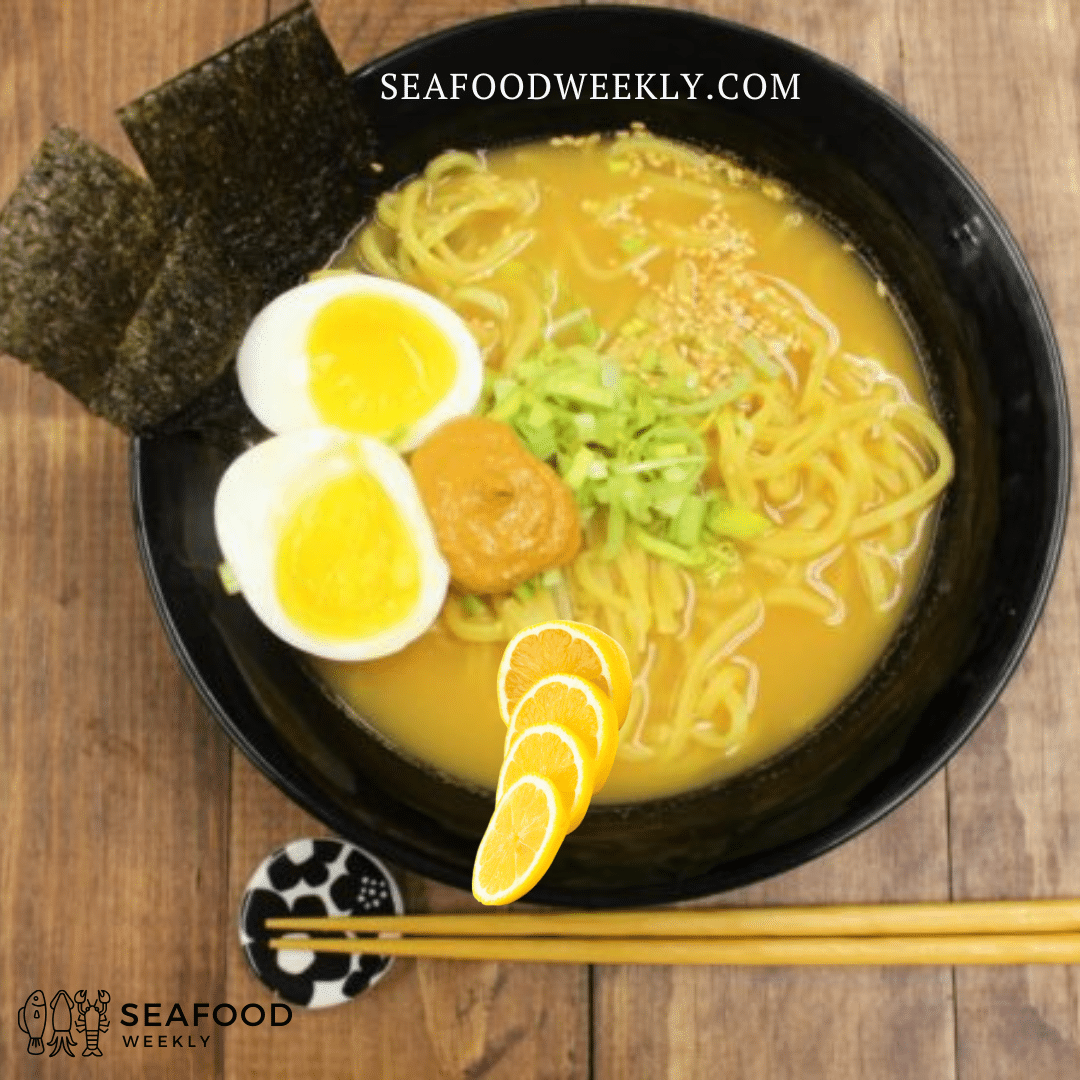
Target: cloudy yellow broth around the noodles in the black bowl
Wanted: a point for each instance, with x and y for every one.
(436, 701)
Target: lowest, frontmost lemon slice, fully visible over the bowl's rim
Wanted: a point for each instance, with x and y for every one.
(521, 842)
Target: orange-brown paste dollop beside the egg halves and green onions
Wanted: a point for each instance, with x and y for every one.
(501, 515)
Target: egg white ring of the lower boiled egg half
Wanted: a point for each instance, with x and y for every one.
(255, 498)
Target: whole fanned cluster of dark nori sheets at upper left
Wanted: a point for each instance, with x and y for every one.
(134, 296)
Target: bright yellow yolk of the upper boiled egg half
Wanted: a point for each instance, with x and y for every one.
(376, 364)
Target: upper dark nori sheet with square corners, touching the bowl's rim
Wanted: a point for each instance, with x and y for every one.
(267, 140)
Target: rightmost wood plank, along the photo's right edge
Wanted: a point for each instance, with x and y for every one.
(1002, 90)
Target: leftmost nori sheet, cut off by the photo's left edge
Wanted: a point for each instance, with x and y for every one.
(82, 239)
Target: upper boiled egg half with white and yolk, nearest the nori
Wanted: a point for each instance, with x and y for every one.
(360, 354)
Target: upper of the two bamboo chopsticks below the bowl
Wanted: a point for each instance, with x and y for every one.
(839, 921)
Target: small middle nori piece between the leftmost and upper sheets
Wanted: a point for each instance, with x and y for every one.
(183, 336)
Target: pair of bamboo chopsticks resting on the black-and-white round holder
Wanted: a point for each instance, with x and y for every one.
(989, 933)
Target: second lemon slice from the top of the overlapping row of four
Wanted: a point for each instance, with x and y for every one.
(576, 704)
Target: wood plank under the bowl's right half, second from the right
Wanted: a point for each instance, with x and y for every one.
(780, 1023)
